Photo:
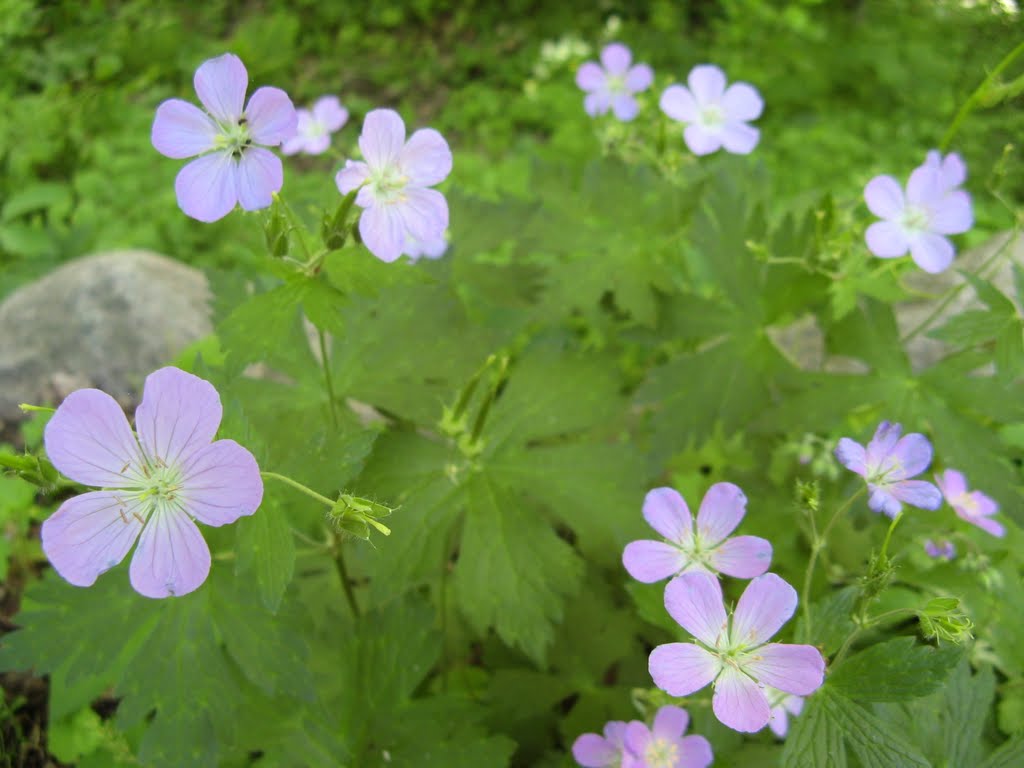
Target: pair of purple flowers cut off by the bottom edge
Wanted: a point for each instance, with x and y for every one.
(635, 745)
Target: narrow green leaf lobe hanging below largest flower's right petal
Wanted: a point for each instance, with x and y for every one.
(267, 551)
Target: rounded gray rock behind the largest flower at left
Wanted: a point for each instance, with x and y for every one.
(104, 321)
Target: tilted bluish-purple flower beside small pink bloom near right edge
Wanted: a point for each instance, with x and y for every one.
(887, 464)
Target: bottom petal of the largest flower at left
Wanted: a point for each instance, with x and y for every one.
(173, 558)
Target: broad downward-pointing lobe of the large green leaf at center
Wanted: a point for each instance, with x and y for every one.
(492, 584)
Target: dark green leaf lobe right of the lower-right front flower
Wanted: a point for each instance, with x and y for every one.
(894, 671)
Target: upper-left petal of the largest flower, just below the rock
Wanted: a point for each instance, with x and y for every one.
(89, 440)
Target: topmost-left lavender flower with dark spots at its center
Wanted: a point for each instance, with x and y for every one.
(233, 167)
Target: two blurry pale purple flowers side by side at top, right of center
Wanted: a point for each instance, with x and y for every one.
(715, 116)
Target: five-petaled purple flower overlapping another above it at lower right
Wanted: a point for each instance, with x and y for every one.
(735, 656)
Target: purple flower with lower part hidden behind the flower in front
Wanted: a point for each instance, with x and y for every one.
(705, 546)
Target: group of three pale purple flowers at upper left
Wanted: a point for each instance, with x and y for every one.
(234, 166)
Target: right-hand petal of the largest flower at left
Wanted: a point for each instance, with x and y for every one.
(222, 483)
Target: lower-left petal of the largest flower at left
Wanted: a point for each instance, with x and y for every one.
(91, 534)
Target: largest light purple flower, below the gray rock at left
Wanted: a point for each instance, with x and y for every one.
(154, 485)
